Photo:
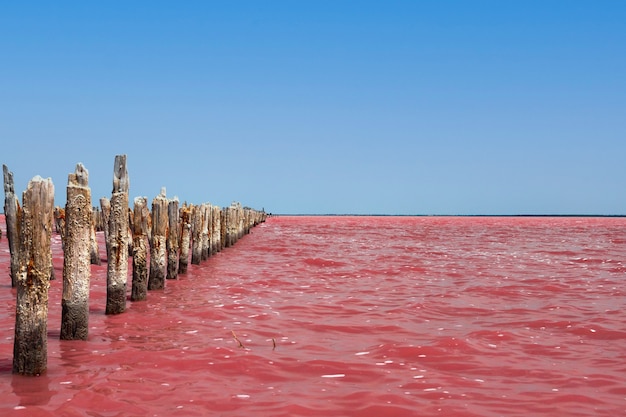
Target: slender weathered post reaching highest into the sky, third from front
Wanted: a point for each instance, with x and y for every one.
(117, 239)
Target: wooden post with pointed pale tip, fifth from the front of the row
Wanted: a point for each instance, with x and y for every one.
(158, 245)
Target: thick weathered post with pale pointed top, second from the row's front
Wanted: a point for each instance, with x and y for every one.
(76, 257)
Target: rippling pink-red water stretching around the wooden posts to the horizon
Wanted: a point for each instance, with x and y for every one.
(353, 316)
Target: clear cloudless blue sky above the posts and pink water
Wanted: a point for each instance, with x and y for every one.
(389, 107)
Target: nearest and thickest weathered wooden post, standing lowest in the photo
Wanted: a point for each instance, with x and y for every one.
(30, 348)
